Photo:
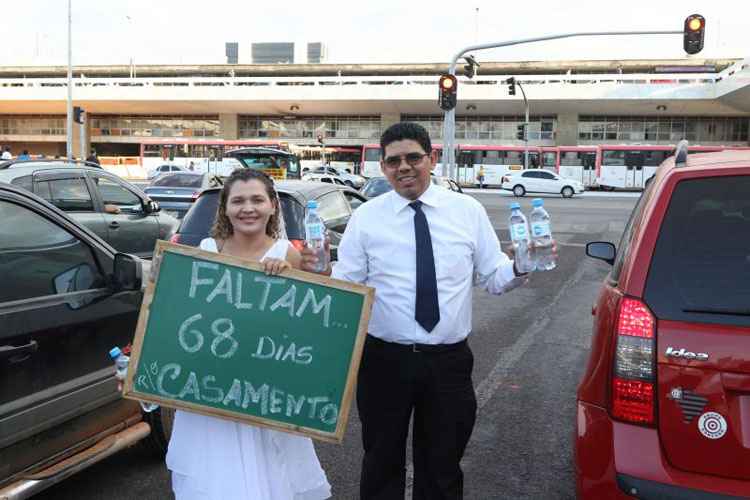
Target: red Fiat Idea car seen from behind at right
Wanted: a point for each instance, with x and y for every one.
(664, 405)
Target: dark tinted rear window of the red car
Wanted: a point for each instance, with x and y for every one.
(701, 266)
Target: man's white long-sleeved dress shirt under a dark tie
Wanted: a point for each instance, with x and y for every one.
(379, 250)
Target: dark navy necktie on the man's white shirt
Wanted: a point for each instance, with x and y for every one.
(426, 310)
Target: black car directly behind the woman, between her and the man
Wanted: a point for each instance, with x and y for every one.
(335, 207)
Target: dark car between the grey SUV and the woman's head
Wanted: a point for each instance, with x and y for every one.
(176, 192)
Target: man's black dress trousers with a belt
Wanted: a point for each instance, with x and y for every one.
(395, 381)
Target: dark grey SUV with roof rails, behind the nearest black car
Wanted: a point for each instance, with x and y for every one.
(118, 212)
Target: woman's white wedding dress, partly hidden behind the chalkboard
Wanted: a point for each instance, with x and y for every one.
(217, 459)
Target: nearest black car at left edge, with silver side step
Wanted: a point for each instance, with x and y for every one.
(67, 298)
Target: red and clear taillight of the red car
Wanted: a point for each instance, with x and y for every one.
(634, 378)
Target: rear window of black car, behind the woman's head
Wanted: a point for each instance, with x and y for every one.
(202, 214)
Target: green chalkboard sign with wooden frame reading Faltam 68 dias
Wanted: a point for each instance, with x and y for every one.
(218, 336)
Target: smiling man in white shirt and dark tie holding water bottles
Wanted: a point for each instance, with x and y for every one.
(421, 247)
